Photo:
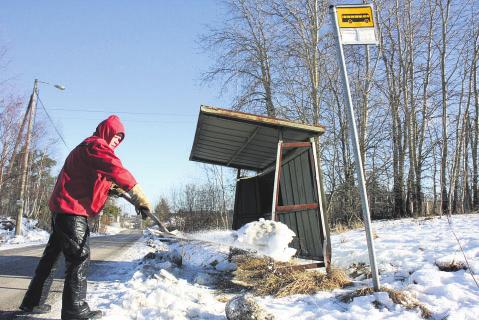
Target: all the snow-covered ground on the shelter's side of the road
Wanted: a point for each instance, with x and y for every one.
(407, 250)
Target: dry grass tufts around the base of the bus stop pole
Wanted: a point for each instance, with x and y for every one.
(398, 297)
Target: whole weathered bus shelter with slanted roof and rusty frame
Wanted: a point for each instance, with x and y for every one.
(286, 186)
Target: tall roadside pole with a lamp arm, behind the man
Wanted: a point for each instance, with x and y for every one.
(30, 114)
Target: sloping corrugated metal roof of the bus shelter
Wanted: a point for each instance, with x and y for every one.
(243, 140)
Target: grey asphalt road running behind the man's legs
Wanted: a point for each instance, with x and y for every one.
(18, 265)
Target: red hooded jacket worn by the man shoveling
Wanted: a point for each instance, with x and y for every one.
(89, 170)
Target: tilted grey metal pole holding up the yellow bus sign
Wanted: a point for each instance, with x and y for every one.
(357, 156)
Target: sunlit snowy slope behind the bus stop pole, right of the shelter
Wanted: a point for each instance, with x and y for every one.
(407, 251)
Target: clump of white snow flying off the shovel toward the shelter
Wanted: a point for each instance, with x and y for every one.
(266, 237)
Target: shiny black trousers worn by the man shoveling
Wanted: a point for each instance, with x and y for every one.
(70, 236)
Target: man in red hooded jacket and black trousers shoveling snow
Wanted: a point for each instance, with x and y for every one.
(80, 193)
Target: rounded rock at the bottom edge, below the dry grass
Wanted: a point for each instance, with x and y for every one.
(244, 307)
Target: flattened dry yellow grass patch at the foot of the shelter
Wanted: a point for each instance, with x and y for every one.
(267, 277)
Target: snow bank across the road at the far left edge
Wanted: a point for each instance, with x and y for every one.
(31, 234)
